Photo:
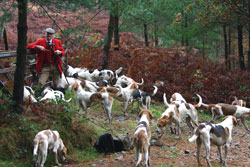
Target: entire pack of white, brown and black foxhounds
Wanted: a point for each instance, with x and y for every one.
(102, 86)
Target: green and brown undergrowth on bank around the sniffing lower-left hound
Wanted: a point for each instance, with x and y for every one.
(18, 130)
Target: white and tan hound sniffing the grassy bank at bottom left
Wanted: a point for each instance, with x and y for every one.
(44, 141)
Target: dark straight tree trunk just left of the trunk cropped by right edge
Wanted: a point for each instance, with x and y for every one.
(240, 47)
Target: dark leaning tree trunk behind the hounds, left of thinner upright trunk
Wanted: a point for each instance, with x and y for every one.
(107, 42)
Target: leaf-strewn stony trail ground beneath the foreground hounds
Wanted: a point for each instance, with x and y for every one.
(174, 152)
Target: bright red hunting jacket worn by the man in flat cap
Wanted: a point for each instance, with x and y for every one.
(41, 54)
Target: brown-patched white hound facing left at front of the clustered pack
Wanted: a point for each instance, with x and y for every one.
(87, 99)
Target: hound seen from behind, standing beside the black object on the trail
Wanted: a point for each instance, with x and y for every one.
(142, 137)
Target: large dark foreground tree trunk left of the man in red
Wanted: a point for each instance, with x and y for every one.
(21, 55)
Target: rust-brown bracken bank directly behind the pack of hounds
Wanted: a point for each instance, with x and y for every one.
(186, 73)
